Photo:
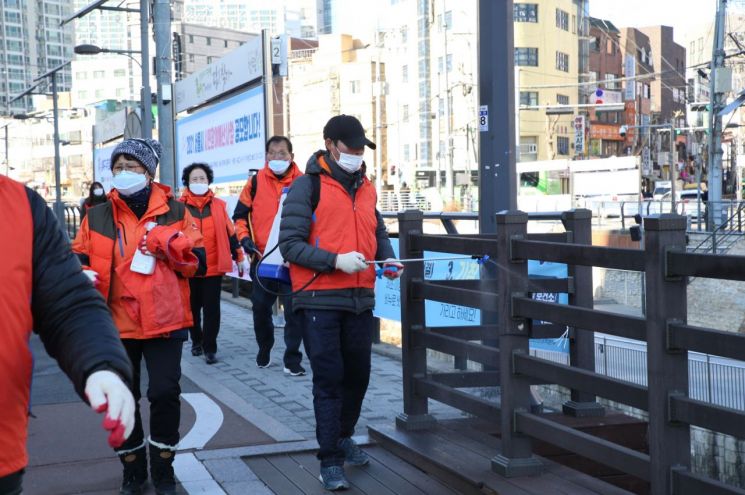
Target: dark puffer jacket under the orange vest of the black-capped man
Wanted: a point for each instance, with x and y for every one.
(297, 212)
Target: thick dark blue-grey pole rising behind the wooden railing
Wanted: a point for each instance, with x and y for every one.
(497, 176)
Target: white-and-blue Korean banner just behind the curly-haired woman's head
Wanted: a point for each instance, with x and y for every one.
(229, 136)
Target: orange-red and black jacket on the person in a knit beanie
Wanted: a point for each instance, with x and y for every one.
(142, 306)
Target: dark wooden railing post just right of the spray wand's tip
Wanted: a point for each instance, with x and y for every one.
(516, 458)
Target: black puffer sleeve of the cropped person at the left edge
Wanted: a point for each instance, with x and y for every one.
(69, 314)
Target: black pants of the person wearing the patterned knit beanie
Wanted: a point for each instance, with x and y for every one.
(163, 361)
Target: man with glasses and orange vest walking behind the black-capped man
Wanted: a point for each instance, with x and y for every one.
(254, 216)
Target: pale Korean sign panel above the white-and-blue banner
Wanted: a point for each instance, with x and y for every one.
(239, 67)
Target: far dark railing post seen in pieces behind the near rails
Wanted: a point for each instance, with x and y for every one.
(582, 342)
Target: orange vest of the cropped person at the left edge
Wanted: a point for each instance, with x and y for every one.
(16, 251)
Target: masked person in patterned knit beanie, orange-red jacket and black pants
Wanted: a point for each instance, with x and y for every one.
(139, 248)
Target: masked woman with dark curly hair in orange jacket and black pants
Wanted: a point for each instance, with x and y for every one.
(220, 243)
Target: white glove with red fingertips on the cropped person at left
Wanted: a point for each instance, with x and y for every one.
(107, 392)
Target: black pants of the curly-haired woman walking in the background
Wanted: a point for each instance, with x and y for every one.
(205, 308)
